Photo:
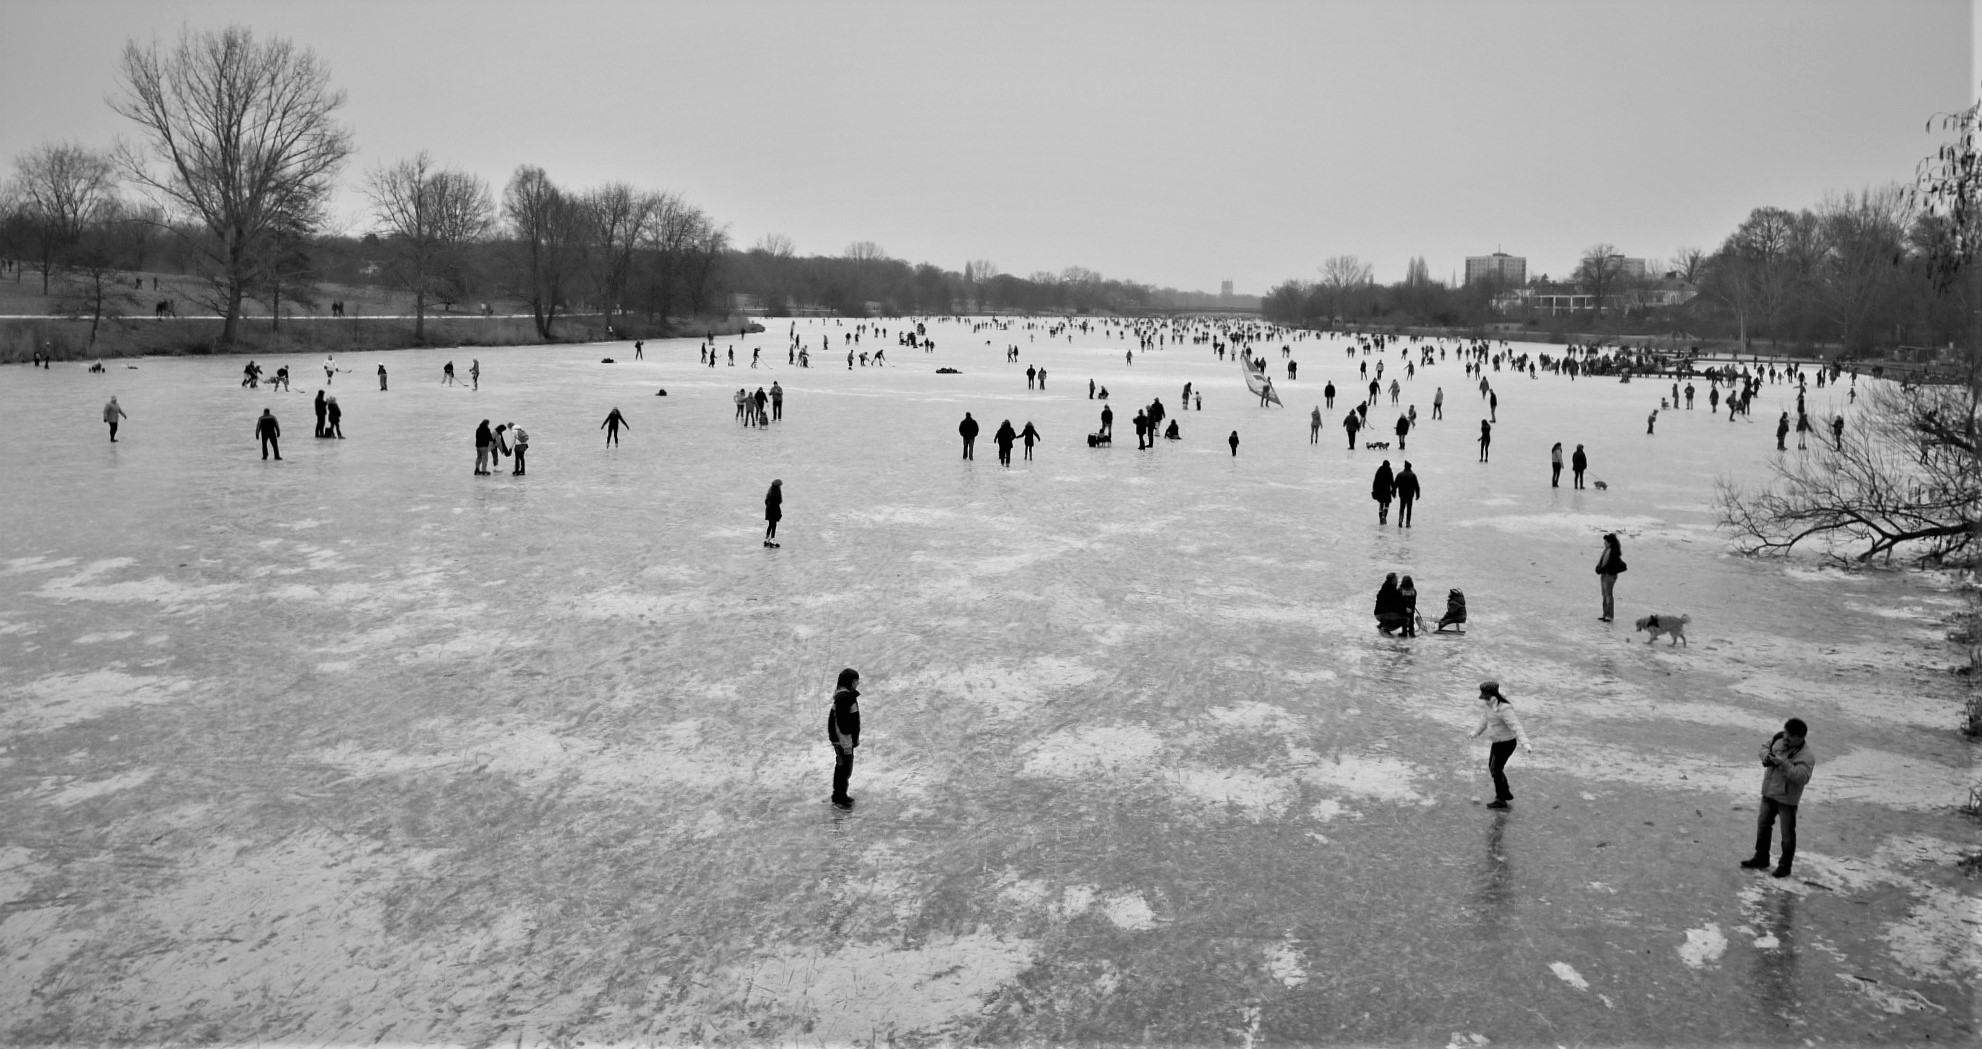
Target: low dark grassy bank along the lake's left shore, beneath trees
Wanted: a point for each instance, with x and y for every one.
(66, 340)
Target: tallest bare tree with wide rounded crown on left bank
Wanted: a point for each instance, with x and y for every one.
(243, 136)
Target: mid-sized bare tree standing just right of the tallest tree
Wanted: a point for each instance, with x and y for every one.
(429, 217)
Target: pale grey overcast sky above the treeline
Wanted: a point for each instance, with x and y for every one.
(1168, 144)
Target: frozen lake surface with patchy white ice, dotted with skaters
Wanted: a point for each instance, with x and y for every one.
(362, 747)
